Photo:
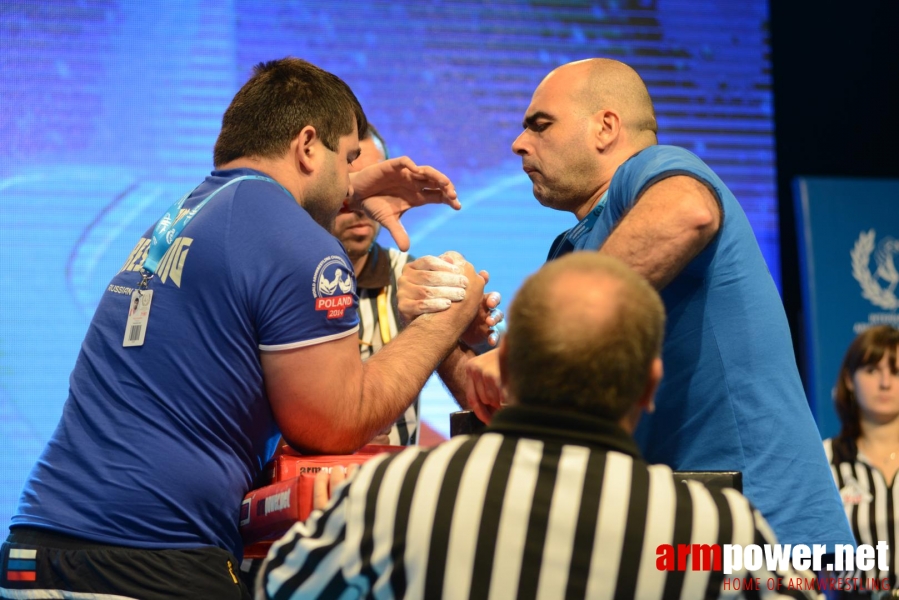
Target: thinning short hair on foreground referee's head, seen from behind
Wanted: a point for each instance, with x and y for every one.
(587, 358)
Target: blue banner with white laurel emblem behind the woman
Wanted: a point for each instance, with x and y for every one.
(848, 246)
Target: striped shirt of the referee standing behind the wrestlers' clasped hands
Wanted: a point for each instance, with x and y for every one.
(378, 279)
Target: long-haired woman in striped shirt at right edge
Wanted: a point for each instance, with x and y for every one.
(864, 456)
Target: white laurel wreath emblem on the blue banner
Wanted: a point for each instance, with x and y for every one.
(879, 294)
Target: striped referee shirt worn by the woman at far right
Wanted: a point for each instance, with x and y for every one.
(870, 502)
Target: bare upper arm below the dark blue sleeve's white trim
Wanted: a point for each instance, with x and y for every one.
(314, 391)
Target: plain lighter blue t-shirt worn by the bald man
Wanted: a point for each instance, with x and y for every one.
(731, 397)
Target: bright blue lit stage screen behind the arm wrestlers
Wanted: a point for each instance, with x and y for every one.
(109, 110)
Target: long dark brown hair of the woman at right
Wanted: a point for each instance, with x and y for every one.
(868, 348)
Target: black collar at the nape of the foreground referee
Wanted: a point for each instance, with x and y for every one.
(564, 427)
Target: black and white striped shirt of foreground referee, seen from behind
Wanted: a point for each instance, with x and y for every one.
(542, 505)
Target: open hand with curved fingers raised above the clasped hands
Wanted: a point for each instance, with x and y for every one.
(388, 189)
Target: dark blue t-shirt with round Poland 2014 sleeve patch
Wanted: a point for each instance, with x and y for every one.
(158, 444)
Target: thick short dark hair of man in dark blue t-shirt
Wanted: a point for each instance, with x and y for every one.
(281, 98)
